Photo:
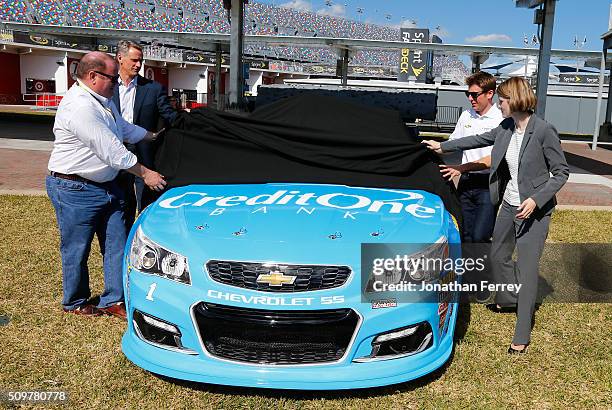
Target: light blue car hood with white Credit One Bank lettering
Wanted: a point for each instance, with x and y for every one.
(293, 214)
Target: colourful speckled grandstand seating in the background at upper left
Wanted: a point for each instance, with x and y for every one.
(208, 16)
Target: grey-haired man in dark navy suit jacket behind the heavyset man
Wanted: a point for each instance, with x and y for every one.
(145, 103)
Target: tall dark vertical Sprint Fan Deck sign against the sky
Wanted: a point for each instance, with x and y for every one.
(413, 63)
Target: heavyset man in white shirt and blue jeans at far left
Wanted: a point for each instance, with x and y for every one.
(88, 153)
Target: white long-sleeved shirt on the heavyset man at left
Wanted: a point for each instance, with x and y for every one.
(89, 134)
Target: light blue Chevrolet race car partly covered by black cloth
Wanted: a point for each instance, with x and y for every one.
(261, 285)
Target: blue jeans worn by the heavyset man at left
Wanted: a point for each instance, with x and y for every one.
(82, 210)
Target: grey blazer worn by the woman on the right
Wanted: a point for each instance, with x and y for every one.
(540, 154)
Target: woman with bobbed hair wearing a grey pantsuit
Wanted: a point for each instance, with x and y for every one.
(526, 151)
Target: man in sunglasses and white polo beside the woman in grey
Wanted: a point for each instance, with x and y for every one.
(478, 211)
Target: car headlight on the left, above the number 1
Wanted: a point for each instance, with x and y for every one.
(149, 257)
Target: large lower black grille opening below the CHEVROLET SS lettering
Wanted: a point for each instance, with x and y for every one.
(275, 337)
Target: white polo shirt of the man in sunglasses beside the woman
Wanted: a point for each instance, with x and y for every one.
(471, 123)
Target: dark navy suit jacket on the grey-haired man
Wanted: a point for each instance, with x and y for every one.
(150, 105)
